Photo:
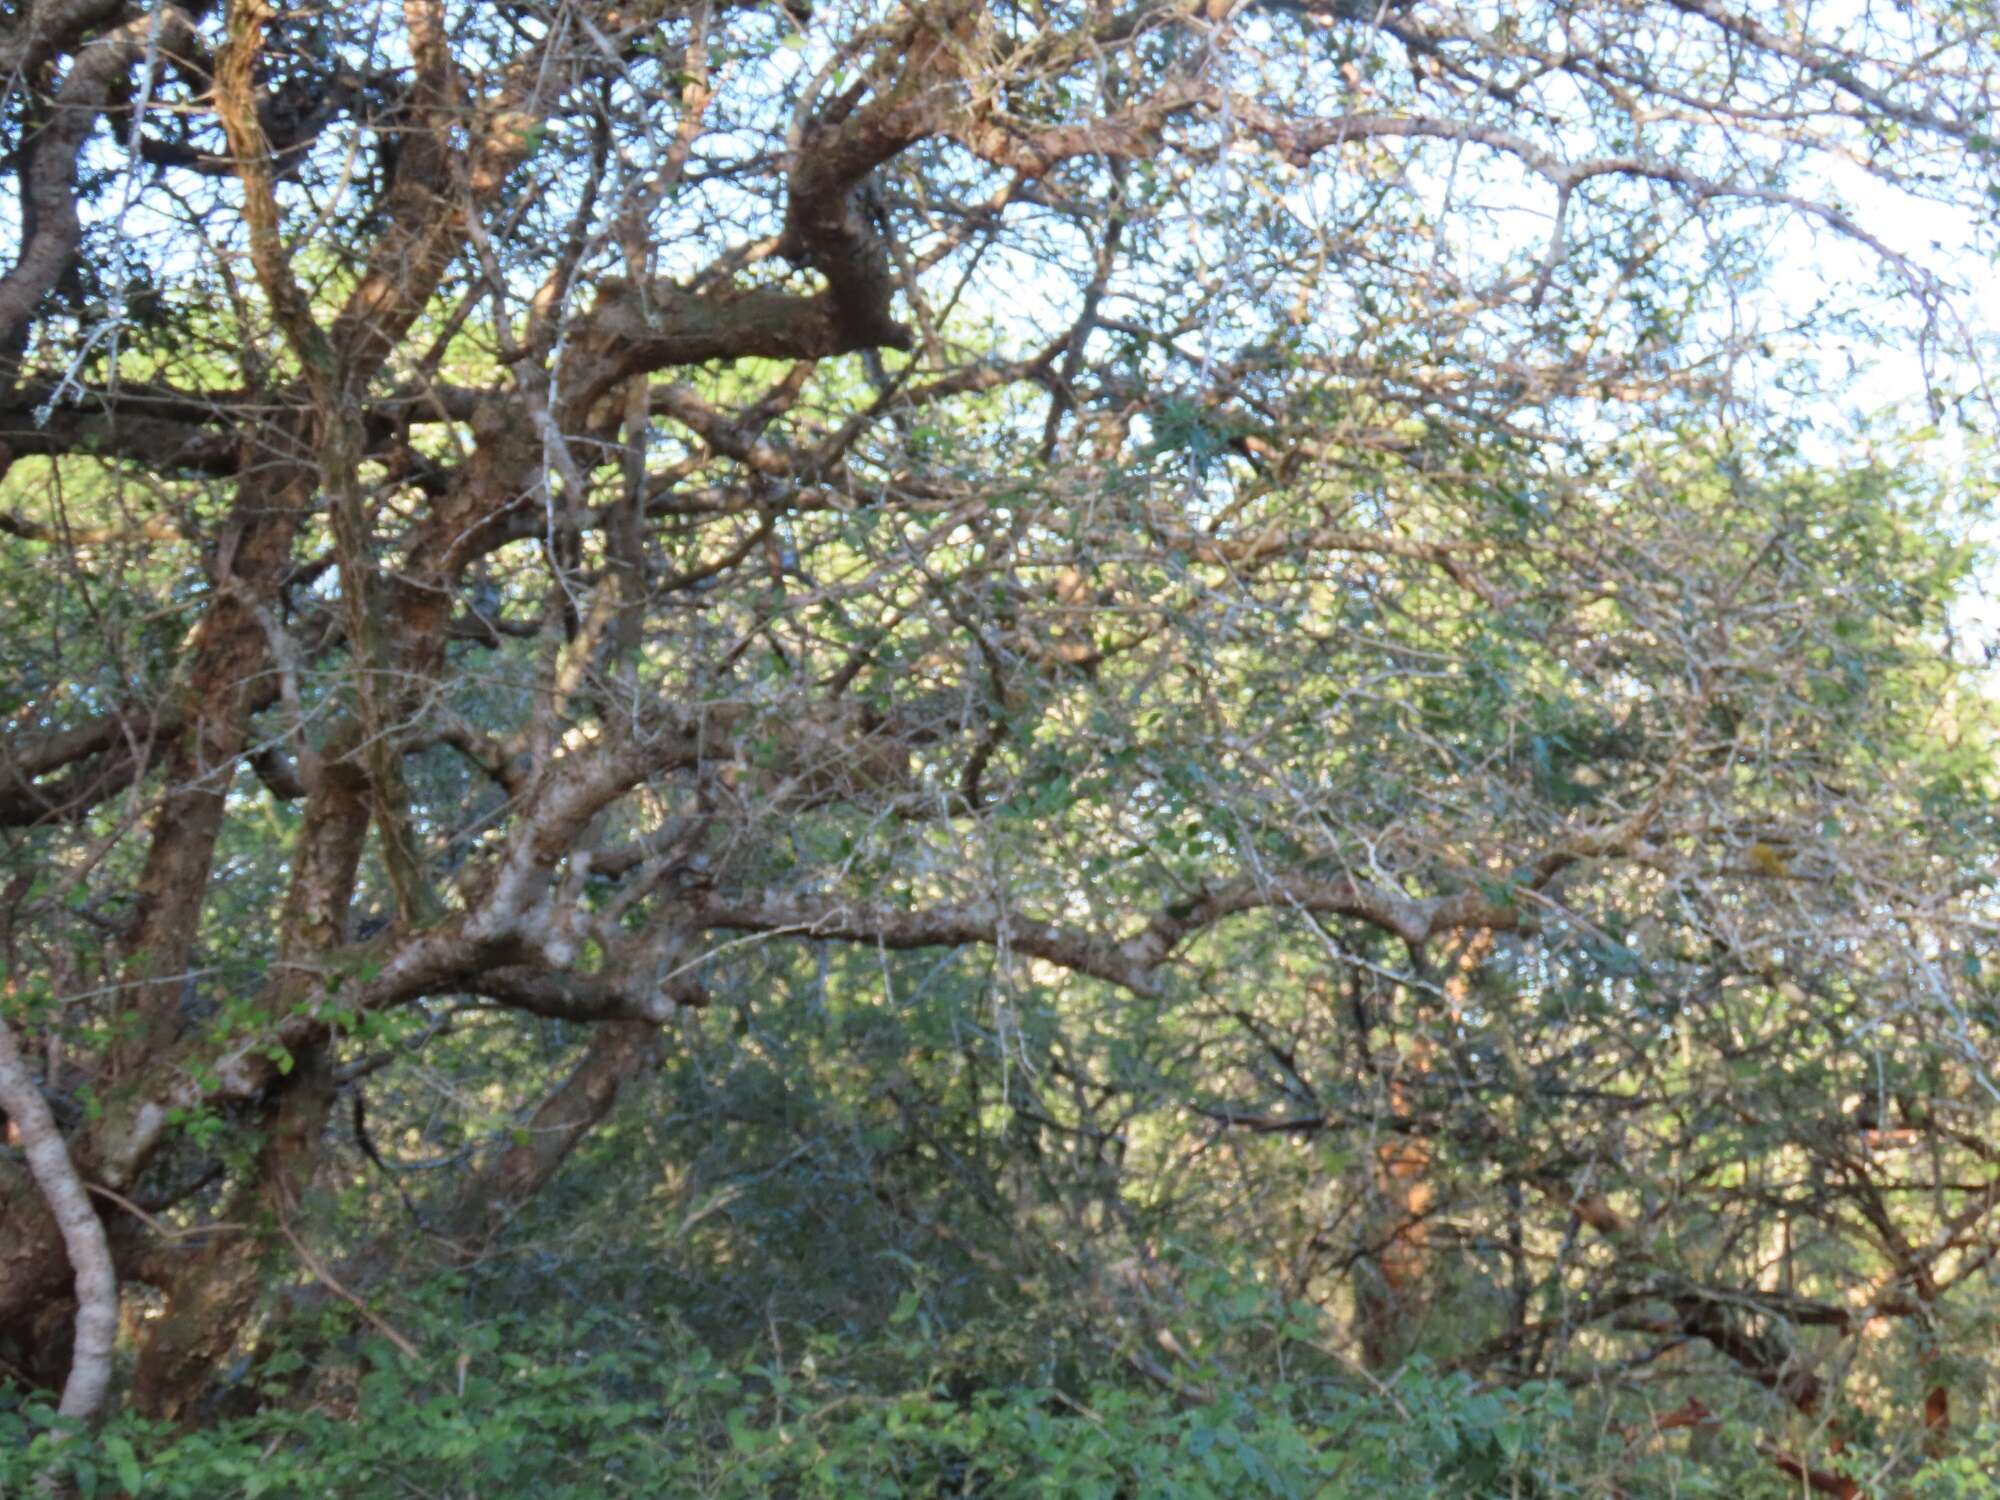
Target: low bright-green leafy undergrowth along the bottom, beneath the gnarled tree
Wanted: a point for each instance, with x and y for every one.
(599, 1409)
